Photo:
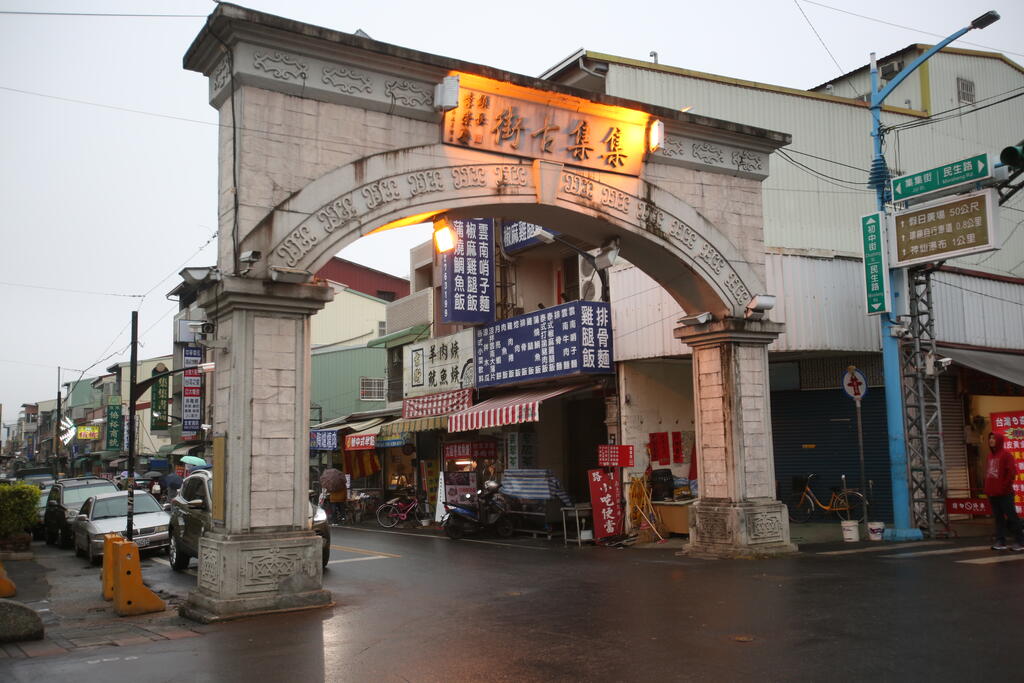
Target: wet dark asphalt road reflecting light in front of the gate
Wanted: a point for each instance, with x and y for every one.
(413, 608)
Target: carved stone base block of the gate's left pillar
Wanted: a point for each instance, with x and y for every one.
(254, 574)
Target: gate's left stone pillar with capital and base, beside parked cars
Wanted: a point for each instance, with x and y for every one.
(262, 554)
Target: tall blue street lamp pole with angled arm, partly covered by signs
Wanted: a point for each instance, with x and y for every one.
(880, 181)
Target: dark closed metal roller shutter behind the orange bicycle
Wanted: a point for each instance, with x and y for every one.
(827, 420)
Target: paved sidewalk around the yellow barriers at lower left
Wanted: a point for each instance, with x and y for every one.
(66, 593)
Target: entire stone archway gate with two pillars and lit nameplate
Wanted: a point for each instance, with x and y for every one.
(328, 137)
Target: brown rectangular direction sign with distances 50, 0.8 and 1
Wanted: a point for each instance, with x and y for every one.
(945, 230)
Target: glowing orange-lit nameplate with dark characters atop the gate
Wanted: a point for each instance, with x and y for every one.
(514, 126)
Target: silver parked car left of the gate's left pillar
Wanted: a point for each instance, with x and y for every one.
(109, 514)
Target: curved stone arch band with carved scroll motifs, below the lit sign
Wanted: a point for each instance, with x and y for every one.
(659, 233)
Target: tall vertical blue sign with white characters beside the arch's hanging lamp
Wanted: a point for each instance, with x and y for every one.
(467, 278)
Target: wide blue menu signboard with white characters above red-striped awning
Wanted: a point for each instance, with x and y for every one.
(570, 339)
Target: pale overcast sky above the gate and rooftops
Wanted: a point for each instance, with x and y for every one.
(109, 158)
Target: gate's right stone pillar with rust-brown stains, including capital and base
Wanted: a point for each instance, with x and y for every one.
(737, 514)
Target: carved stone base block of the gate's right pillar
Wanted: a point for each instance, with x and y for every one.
(724, 529)
